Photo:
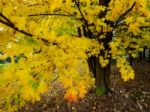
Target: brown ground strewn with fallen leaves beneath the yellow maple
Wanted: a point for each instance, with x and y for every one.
(131, 96)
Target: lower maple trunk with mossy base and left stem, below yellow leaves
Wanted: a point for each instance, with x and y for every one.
(101, 74)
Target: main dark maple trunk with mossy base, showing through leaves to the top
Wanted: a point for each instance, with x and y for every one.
(103, 73)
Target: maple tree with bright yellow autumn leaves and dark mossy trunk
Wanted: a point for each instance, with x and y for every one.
(69, 41)
